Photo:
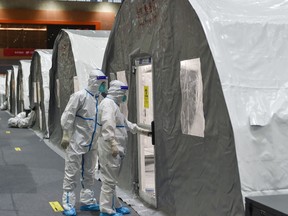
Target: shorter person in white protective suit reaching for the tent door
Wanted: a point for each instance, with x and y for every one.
(111, 146)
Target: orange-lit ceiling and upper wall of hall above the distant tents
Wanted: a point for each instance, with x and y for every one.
(34, 24)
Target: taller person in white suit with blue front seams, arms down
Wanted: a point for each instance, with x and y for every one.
(79, 124)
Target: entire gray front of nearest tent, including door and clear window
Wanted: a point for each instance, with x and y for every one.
(161, 49)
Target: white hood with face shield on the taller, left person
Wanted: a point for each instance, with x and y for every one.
(96, 78)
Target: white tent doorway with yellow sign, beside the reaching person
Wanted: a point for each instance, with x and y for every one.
(145, 117)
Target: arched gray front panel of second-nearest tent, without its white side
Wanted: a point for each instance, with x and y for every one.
(61, 84)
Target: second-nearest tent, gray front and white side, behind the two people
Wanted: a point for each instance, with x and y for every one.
(75, 53)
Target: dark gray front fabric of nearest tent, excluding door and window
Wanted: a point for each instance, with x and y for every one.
(193, 173)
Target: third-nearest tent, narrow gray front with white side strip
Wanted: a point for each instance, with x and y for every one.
(39, 92)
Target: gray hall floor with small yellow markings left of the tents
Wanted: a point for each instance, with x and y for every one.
(32, 177)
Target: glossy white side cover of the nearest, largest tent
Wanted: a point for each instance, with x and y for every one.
(248, 40)
